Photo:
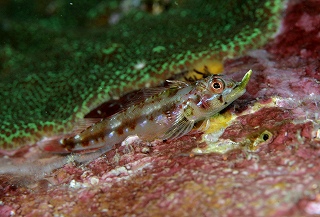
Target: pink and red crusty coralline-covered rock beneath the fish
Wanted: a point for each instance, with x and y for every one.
(278, 177)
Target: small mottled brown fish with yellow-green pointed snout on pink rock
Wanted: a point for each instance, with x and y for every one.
(169, 114)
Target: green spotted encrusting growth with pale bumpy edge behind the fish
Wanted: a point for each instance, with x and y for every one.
(60, 60)
